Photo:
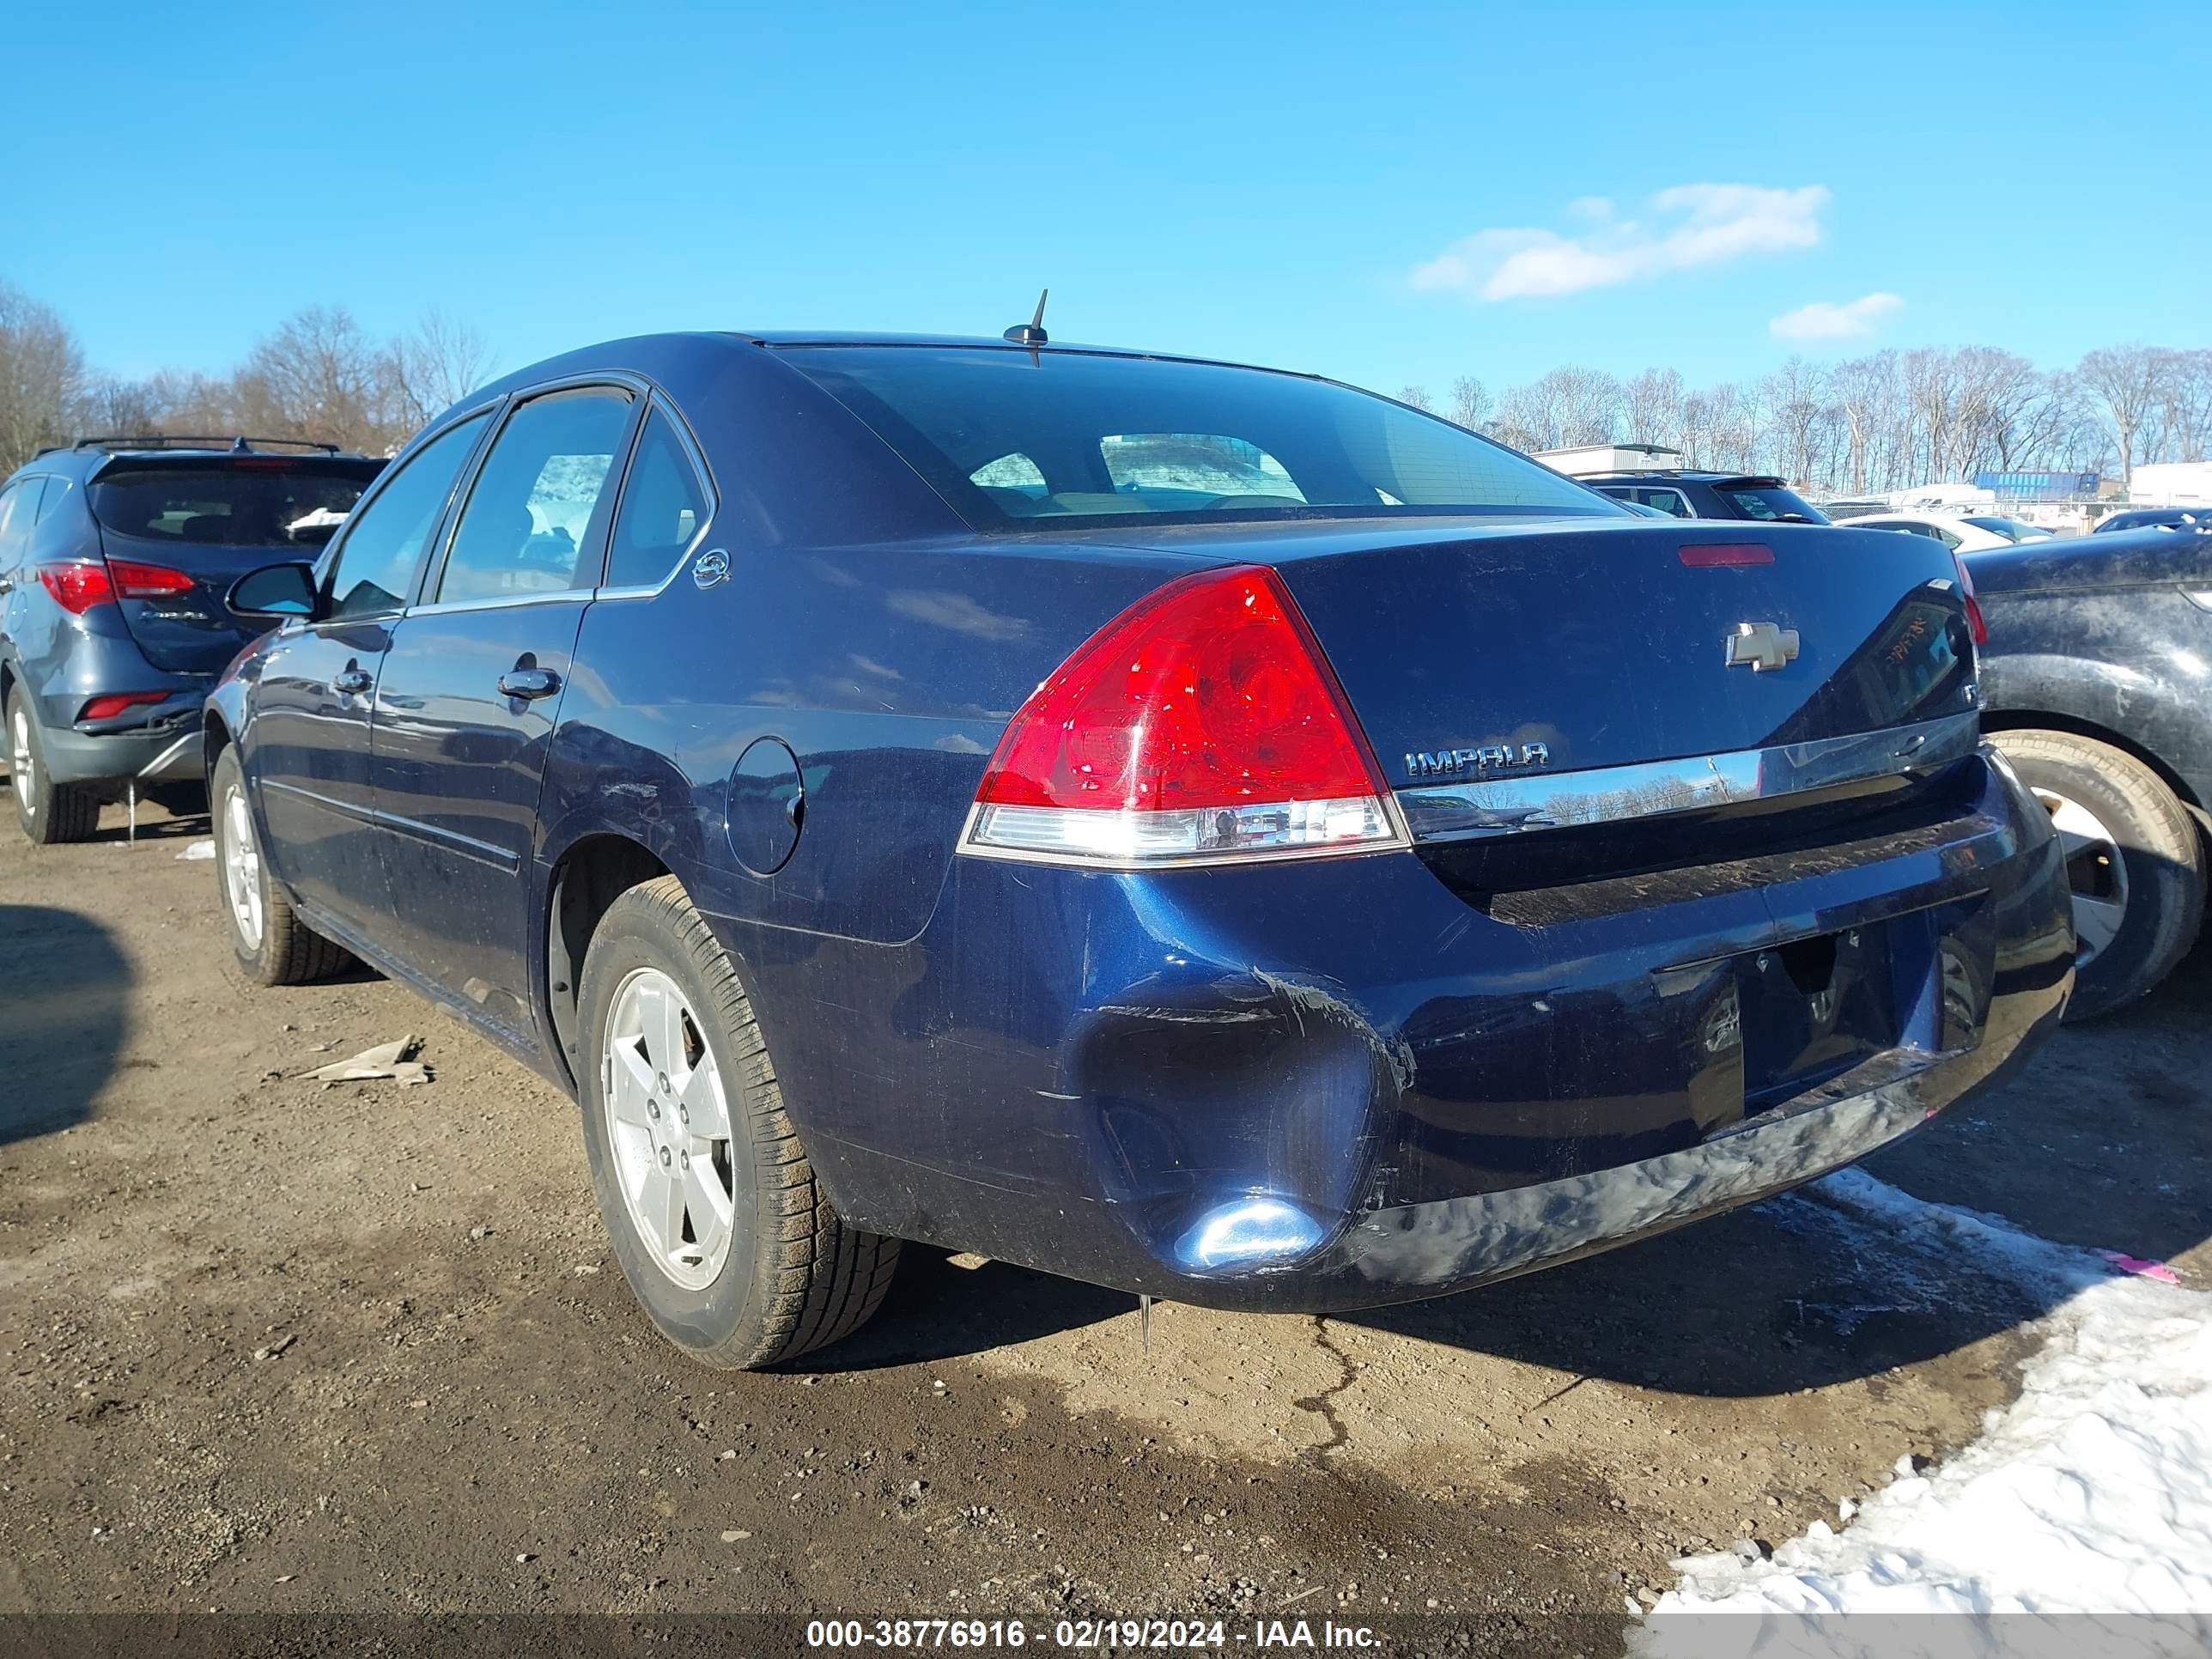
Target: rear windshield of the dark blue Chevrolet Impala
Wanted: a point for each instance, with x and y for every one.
(1072, 439)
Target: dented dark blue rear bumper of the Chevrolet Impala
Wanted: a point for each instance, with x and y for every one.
(1337, 1085)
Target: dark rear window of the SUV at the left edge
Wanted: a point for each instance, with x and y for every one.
(278, 503)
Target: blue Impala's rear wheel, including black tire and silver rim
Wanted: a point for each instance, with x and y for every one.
(709, 1198)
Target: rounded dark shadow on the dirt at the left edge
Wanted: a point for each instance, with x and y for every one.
(65, 1014)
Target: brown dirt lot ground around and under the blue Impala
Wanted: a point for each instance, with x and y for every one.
(280, 1346)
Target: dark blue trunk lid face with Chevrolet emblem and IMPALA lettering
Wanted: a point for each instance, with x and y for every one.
(1614, 645)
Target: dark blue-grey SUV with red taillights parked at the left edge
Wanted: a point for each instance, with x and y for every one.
(114, 563)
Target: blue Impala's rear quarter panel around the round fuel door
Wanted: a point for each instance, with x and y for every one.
(890, 674)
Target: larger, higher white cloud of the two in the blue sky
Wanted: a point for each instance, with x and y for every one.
(1687, 227)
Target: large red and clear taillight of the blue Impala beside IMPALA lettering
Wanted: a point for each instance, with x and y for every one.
(1200, 722)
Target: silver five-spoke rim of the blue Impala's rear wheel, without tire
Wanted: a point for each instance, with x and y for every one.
(669, 1129)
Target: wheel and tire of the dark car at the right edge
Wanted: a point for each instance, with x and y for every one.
(2133, 859)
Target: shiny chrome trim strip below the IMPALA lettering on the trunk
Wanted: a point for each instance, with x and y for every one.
(1503, 806)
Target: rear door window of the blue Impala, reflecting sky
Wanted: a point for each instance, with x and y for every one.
(534, 501)
